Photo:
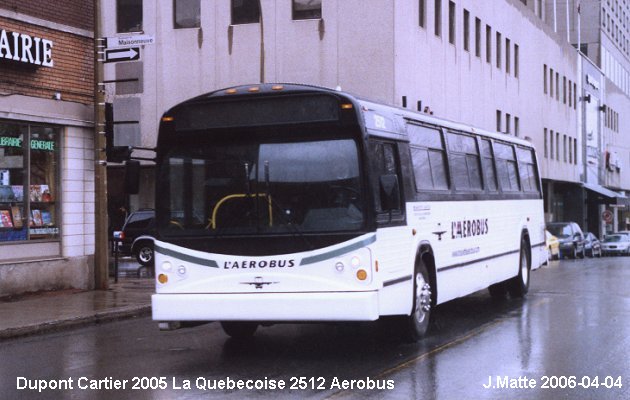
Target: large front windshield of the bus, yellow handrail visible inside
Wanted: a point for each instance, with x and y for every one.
(253, 188)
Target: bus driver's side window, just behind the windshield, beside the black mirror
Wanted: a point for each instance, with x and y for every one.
(386, 178)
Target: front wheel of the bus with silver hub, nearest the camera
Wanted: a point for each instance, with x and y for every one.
(416, 325)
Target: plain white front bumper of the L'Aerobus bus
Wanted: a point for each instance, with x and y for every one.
(273, 307)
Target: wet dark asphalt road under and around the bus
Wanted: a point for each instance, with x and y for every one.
(571, 334)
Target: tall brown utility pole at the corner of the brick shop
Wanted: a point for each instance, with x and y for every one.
(101, 278)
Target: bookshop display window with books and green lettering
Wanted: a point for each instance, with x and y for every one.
(29, 182)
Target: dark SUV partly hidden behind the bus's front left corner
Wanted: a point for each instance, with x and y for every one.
(136, 236)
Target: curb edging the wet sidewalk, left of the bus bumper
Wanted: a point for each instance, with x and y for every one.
(76, 322)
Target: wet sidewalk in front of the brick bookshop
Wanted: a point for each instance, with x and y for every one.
(50, 311)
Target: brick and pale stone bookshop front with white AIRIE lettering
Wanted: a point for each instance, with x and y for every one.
(46, 149)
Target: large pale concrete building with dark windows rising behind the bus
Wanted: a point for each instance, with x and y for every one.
(497, 65)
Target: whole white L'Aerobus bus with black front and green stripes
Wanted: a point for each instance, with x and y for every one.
(286, 203)
